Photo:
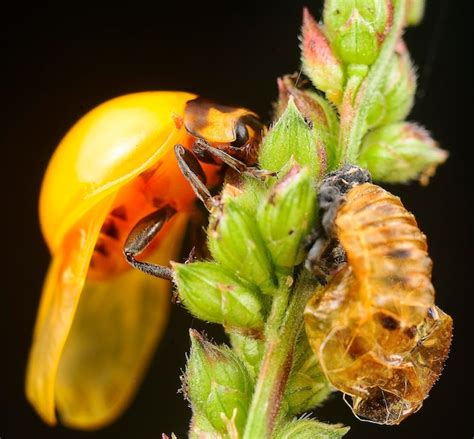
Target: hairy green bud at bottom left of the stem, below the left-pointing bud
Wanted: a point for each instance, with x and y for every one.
(217, 384)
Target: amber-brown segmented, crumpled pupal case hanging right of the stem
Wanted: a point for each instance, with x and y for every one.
(375, 327)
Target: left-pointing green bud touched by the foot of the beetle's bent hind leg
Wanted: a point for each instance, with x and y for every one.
(212, 293)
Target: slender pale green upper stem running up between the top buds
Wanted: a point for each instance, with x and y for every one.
(354, 109)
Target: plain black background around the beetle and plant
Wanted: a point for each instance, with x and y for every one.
(64, 59)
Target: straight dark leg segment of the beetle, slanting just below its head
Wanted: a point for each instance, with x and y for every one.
(193, 172)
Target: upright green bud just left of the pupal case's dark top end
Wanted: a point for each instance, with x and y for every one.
(287, 217)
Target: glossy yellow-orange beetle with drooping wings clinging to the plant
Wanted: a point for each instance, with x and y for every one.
(118, 184)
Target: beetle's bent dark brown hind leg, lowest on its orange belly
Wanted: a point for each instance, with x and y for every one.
(140, 237)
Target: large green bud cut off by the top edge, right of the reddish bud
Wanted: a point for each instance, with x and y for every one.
(356, 28)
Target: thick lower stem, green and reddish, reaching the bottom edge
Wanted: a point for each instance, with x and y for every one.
(283, 327)
